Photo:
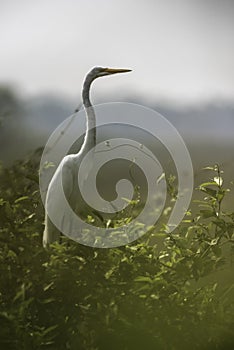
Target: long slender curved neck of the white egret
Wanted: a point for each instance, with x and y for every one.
(90, 136)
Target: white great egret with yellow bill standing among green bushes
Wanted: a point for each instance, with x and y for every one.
(69, 165)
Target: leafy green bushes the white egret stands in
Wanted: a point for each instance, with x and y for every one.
(176, 295)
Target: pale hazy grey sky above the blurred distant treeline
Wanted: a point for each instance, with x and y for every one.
(181, 50)
